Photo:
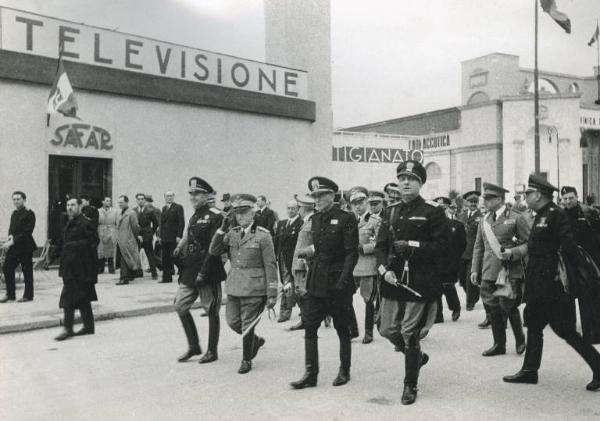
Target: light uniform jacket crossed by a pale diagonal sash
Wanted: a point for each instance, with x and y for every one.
(508, 227)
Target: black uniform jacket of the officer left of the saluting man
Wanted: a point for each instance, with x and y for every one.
(197, 260)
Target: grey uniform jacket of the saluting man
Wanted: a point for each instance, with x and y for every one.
(253, 270)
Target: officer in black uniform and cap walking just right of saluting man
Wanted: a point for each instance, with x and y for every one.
(330, 283)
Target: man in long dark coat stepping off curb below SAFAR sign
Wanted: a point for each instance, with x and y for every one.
(78, 269)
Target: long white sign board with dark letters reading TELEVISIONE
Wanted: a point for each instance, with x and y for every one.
(30, 33)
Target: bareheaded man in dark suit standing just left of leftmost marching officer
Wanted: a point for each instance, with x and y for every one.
(172, 224)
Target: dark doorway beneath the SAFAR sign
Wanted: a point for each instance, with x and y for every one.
(69, 177)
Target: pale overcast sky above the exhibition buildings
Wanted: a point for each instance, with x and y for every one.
(390, 58)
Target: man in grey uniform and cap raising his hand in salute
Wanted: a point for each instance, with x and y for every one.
(252, 280)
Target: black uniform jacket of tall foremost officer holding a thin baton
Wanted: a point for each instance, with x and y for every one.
(417, 221)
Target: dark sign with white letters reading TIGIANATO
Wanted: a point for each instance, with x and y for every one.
(374, 155)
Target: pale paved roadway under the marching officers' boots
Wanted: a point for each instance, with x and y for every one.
(127, 371)
